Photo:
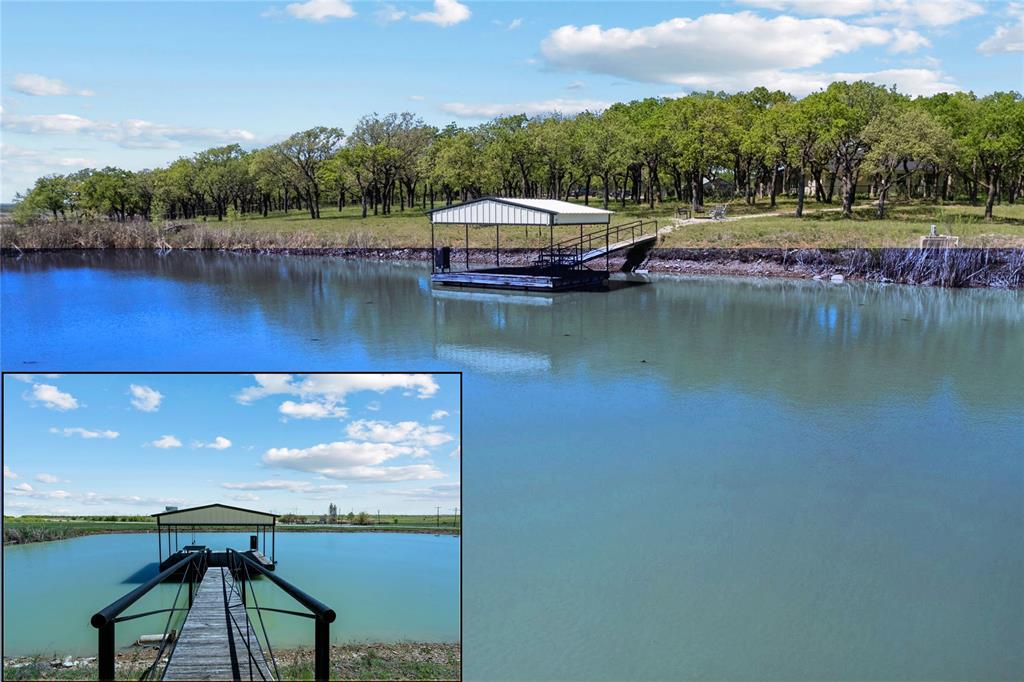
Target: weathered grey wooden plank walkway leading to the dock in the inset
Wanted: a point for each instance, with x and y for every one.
(210, 647)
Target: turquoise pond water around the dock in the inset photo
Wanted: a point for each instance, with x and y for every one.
(385, 587)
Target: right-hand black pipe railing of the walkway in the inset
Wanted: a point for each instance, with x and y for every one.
(241, 566)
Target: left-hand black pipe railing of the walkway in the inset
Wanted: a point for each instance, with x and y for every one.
(194, 567)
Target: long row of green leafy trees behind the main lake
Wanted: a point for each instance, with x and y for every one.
(752, 146)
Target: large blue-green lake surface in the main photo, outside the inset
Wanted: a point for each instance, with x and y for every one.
(682, 480)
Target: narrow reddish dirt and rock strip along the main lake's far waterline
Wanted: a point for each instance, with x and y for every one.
(1002, 269)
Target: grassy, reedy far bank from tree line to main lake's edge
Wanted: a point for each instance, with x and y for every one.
(993, 254)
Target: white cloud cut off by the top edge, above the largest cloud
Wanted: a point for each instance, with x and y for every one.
(932, 14)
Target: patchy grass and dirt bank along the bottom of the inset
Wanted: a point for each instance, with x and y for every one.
(385, 661)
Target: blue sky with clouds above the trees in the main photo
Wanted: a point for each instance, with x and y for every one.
(138, 84)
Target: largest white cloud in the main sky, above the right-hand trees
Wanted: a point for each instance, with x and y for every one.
(692, 53)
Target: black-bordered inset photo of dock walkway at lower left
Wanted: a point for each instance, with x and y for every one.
(233, 527)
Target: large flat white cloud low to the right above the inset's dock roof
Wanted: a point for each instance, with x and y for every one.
(352, 461)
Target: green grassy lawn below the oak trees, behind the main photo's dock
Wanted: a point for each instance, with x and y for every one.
(822, 227)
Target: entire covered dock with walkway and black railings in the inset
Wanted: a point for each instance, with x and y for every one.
(224, 635)
